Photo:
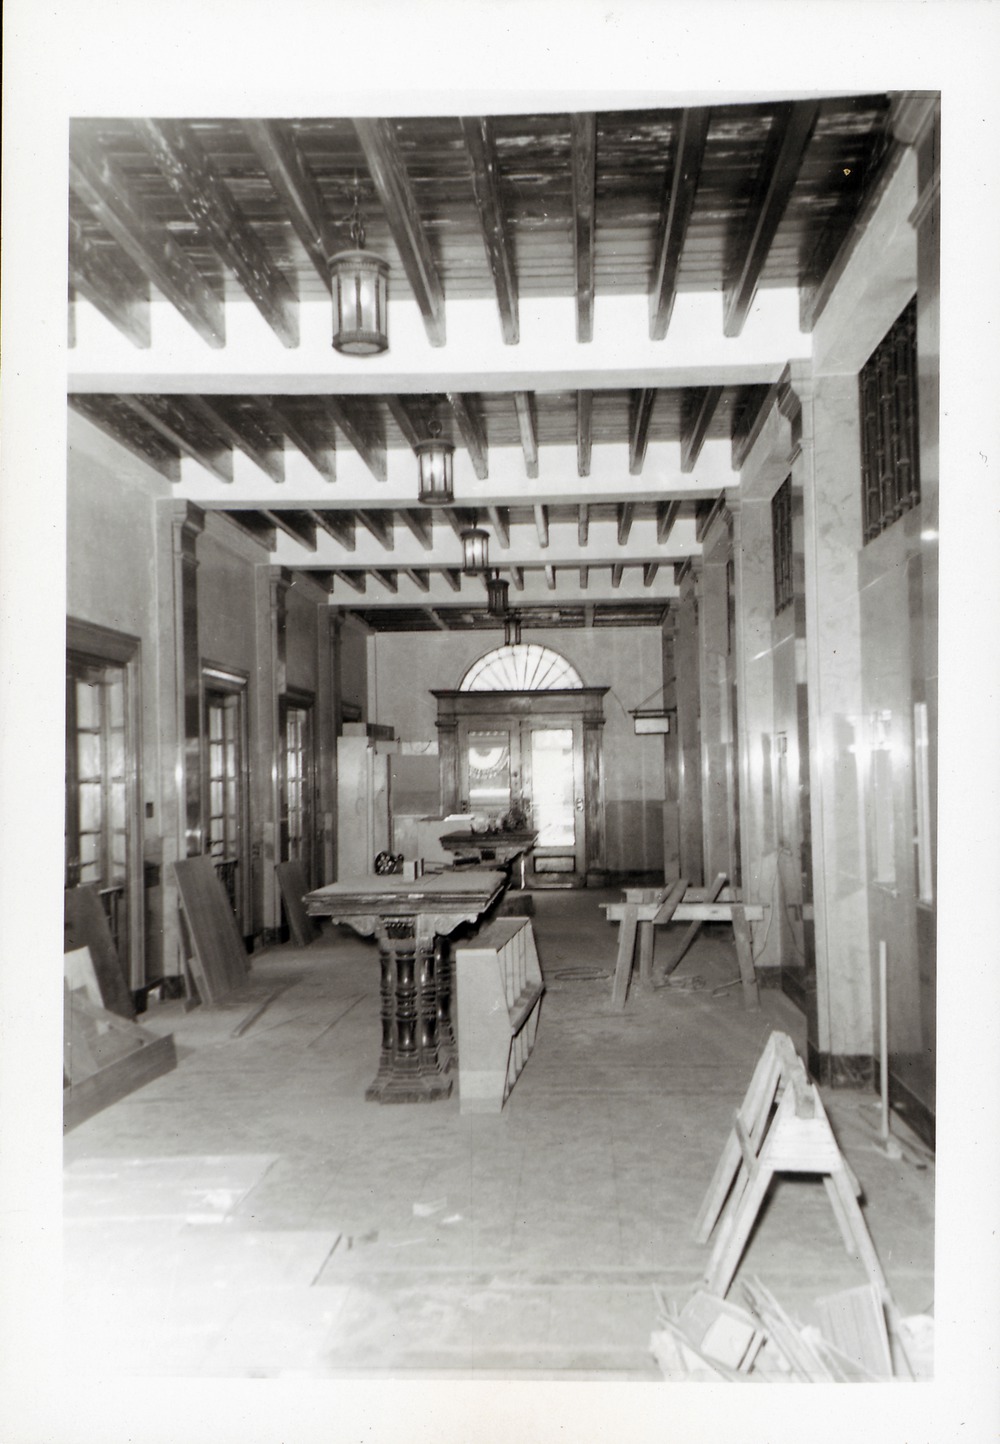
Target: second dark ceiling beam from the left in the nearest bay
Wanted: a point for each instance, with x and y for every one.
(116, 203)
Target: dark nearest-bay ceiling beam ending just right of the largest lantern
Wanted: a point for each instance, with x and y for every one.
(399, 203)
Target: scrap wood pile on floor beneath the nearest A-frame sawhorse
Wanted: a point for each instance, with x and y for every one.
(716, 1339)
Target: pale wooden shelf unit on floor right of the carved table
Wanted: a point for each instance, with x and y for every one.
(499, 988)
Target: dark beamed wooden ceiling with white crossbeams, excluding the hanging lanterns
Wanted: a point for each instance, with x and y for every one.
(595, 308)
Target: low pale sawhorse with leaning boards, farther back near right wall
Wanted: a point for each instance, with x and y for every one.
(643, 910)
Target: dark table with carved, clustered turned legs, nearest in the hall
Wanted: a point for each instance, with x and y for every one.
(412, 922)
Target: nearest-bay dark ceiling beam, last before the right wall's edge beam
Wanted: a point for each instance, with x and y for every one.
(791, 131)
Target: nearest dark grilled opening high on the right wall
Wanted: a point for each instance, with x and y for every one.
(891, 474)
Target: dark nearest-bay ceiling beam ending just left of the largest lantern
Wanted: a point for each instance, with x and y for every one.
(190, 174)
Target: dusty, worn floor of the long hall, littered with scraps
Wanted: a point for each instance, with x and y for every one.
(252, 1215)
